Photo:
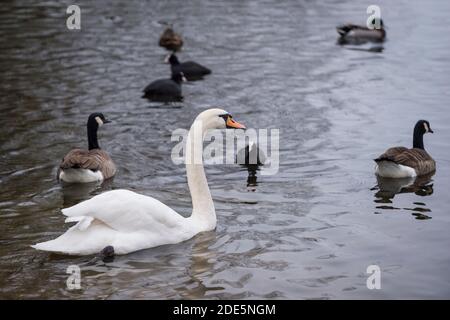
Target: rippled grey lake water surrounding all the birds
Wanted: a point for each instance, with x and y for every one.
(309, 231)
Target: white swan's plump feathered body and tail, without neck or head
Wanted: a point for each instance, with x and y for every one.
(126, 220)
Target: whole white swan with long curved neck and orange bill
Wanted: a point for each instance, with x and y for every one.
(129, 221)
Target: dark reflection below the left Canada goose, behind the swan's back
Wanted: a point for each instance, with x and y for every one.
(73, 193)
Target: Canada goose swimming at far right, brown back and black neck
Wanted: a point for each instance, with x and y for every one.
(401, 162)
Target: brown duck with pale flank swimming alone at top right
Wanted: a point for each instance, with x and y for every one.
(351, 33)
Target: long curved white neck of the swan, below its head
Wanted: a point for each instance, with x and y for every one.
(202, 203)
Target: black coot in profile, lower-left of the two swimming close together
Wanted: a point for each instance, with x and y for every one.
(165, 89)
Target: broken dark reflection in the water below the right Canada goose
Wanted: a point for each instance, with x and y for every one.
(387, 189)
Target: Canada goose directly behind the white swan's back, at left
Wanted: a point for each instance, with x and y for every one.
(94, 164)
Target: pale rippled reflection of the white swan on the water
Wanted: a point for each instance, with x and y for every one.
(184, 268)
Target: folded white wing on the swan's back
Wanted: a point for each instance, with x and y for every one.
(127, 211)
